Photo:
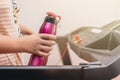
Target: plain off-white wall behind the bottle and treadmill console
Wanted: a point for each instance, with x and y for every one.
(74, 13)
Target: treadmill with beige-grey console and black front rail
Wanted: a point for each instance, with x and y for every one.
(100, 48)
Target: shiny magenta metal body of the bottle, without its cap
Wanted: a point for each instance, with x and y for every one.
(47, 28)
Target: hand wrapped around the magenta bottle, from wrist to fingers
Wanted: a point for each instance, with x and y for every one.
(39, 44)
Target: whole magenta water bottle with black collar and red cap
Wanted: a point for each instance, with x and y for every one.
(49, 27)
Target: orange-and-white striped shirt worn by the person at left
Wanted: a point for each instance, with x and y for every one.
(8, 27)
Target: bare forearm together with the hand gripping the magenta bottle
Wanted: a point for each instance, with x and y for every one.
(34, 44)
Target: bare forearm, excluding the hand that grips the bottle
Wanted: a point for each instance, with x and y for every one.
(9, 44)
